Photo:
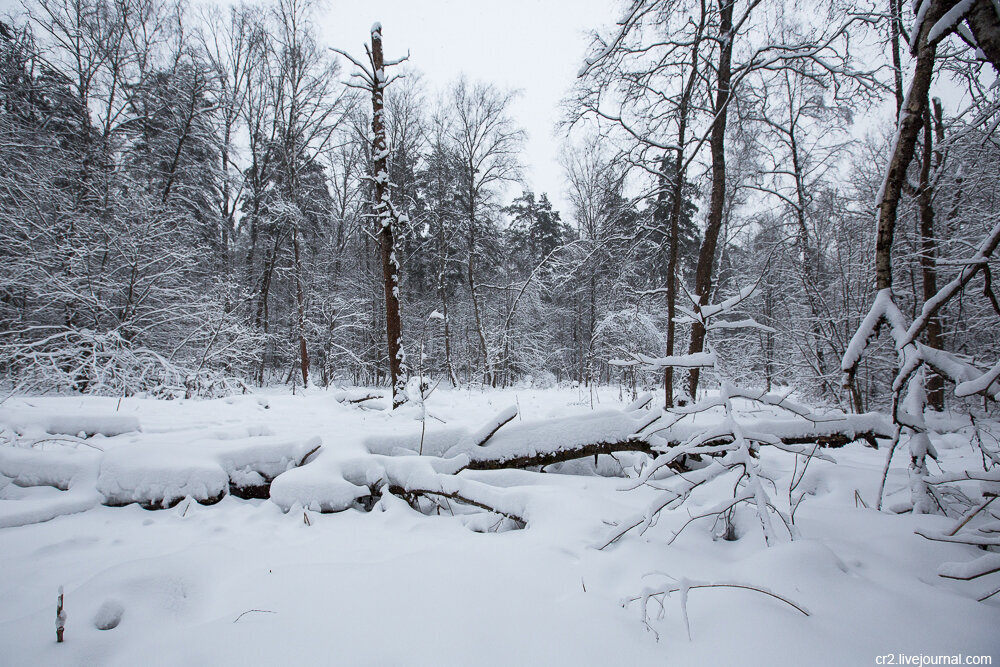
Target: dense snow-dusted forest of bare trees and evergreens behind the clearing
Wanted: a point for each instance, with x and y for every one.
(185, 200)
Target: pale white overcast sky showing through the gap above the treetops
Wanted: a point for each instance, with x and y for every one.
(535, 46)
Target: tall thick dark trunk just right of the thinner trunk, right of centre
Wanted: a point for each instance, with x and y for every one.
(716, 208)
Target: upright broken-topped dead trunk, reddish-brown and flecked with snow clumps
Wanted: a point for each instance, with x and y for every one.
(384, 218)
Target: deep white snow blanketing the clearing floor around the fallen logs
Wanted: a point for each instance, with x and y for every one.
(245, 582)
